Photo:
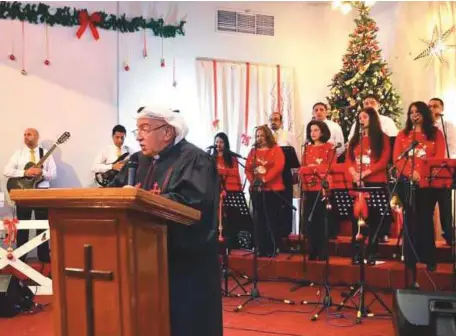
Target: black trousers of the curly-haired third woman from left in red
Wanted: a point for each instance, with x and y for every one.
(315, 229)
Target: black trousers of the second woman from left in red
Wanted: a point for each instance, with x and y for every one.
(266, 217)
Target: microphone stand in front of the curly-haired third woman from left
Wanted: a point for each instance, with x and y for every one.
(327, 299)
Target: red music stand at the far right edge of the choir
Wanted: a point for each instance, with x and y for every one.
(441, 174)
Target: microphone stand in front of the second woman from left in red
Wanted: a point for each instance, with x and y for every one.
(255, 294)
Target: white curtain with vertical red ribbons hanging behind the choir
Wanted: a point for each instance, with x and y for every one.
(237, 97)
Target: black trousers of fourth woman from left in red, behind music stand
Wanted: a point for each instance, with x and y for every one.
(374, 220)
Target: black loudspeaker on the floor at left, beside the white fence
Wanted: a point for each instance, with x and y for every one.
(15, 297)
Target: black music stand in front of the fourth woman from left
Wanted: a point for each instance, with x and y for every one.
(378, 198)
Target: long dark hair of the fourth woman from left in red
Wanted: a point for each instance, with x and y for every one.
(375, 134)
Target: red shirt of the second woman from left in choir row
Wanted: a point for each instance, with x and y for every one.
(269, 166)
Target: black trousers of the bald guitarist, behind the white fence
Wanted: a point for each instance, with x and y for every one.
(23, 235)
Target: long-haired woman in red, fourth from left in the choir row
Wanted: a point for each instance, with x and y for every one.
(367, 160)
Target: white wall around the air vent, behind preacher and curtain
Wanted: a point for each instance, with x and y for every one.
(306, 38)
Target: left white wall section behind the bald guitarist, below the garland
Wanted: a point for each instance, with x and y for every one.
(77, 93)
